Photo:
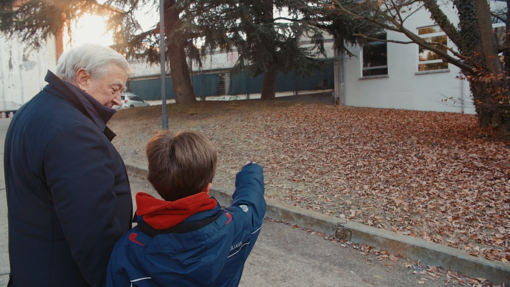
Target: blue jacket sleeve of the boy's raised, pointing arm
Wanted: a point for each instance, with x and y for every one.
(250, 192)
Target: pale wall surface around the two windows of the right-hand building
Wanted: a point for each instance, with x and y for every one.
(405, 88)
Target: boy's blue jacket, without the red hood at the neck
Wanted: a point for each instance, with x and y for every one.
(210, 255)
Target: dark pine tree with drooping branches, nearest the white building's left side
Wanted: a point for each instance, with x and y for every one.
(268, 44)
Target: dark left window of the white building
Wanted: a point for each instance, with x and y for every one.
(375, 57)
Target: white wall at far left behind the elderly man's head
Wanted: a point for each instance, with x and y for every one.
(22, 71)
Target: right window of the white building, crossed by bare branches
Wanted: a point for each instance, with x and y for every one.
(428, 60)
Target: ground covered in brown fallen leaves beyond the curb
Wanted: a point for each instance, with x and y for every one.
(430, 175)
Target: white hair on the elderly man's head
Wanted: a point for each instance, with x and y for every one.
(94, 58)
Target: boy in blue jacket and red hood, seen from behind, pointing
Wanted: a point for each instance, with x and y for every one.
(187, 239)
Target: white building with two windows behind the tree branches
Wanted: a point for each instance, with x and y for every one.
(409, 77)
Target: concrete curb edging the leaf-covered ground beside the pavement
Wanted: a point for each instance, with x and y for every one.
(404, 246)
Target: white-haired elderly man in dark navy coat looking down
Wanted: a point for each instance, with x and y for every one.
(68, 193)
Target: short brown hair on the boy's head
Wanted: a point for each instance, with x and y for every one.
(180, 165)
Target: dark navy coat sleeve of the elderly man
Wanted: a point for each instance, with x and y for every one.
(79, 171)
